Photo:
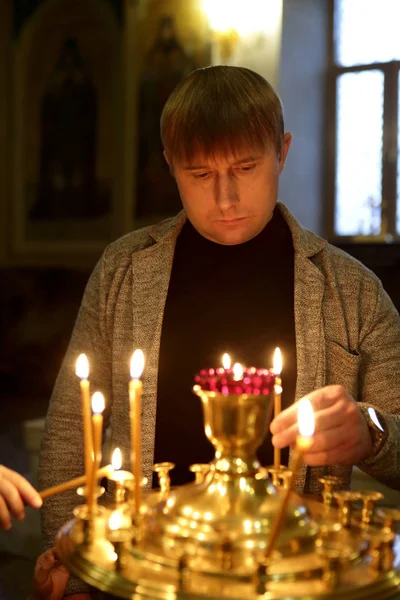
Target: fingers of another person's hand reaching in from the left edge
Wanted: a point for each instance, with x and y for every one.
(15, 491)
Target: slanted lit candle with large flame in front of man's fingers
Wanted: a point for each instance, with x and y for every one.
(306, 423)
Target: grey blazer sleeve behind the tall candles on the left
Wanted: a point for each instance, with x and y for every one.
(62, 456)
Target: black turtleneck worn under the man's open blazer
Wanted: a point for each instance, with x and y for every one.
(236, 299)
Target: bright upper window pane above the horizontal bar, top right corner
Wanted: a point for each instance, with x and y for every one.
(367, 31)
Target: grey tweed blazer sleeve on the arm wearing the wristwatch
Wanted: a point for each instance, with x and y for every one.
(380, 386)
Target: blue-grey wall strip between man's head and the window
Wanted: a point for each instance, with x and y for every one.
(302, 75)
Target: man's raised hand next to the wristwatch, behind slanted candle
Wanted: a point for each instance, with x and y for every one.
(341, 434)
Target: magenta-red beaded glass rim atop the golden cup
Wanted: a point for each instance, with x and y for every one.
(249, 380)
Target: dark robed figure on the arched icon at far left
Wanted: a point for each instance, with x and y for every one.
(68, 124)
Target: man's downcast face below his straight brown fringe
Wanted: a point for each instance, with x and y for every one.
(229, 200)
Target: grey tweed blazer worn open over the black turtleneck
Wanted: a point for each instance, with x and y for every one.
(347, 332)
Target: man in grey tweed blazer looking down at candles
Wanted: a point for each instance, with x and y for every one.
(233, 272)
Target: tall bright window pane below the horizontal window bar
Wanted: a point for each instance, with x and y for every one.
(359, 138)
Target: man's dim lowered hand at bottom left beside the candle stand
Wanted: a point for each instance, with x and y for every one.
(50, 577)
